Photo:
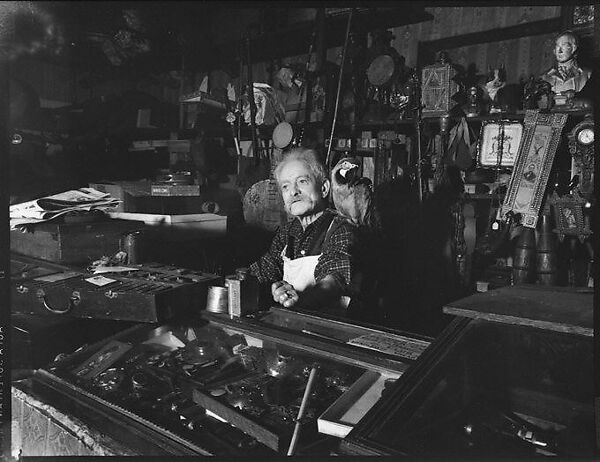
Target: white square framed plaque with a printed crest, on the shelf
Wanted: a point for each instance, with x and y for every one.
(499, 143)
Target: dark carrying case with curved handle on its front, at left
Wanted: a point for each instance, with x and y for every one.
(149, 293)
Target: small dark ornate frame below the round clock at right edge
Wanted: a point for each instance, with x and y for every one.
(568, 216)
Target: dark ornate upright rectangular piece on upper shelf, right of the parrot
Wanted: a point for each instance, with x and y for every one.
(437, 89)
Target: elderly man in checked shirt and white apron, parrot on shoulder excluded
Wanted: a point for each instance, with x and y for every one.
(309, 263)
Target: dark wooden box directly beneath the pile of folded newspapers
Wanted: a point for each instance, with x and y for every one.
(72, 243)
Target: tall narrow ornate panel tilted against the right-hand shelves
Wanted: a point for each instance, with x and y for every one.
(541, 135)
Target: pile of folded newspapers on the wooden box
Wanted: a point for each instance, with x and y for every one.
(50, 207)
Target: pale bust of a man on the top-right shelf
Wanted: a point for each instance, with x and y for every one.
(566, 78)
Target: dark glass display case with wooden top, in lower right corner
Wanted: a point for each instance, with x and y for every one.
(512, 376)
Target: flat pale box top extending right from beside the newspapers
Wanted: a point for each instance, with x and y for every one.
(206, 222)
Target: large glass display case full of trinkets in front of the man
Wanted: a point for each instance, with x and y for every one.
(222, 386)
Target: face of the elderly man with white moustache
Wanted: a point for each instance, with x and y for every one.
(302, 194)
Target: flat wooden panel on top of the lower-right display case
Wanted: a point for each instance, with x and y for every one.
(559, 309)
